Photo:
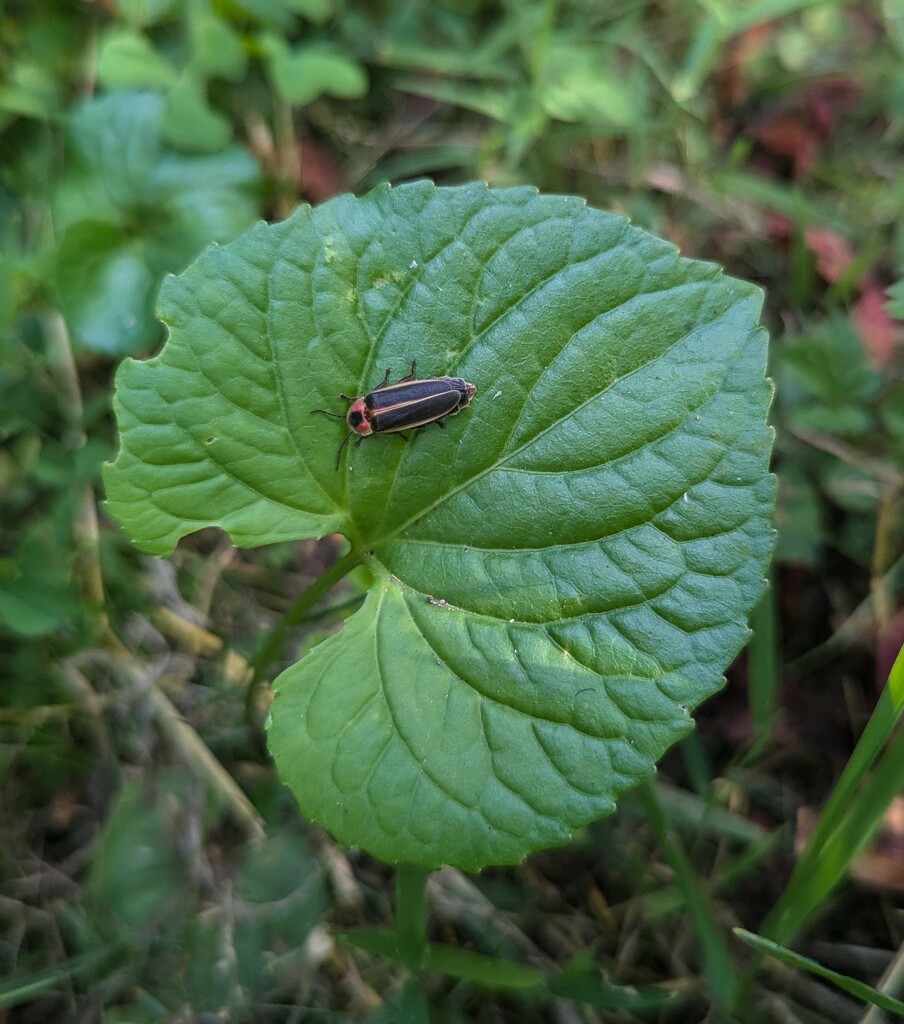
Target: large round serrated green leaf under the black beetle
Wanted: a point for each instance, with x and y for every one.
(558, 577)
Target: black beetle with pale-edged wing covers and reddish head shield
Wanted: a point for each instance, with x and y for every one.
(407, 405)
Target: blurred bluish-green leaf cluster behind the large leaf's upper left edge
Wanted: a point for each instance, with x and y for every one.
(133, 210)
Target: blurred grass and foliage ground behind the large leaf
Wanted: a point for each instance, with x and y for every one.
(153, 868)
